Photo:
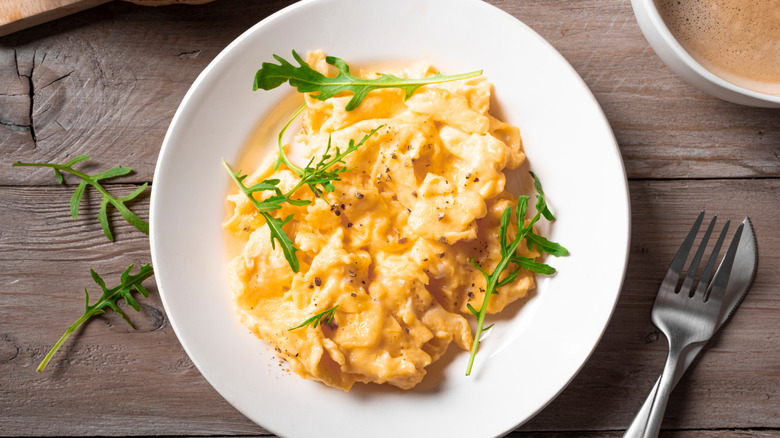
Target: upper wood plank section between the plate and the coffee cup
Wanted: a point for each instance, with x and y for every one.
(641, 97)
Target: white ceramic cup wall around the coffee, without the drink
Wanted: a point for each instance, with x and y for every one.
(679, 61)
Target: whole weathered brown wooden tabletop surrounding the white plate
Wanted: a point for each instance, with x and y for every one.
(106, 82)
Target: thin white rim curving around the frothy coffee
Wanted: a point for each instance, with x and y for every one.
(679, 51)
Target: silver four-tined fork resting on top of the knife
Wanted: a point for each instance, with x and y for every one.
(686, 318)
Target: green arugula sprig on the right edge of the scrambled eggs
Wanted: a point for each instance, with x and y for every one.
(509, 255)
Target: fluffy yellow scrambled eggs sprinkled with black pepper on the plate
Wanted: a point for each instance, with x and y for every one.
(391, 244)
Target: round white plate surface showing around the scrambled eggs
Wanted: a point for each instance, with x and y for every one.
(534, 350)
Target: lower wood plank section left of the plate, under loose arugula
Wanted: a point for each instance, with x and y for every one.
(109, 378)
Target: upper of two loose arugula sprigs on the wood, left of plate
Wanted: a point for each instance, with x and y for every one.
(94, 181)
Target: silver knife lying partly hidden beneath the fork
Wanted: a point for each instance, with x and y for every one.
(742, 275)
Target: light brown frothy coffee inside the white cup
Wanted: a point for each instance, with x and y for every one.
(738, 40)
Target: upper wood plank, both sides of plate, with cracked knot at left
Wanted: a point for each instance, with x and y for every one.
(107, 81)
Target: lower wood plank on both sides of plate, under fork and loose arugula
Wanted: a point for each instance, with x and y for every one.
(145, 374)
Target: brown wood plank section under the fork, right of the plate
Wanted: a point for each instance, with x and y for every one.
(736, 382)
